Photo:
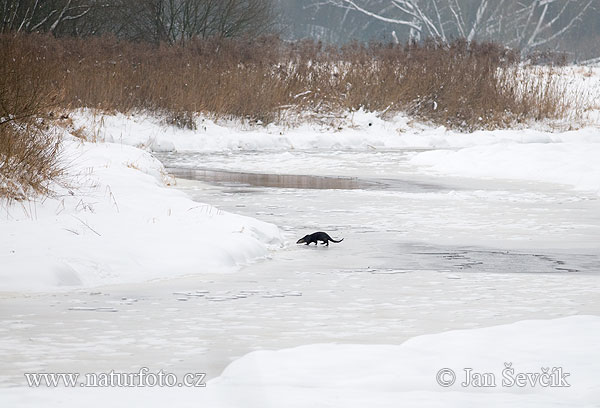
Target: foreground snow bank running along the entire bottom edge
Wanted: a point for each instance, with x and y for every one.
(337, 375)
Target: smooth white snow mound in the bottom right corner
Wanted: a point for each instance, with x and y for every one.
(391, 375)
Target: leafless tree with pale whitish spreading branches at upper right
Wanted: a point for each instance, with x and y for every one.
(524, 24)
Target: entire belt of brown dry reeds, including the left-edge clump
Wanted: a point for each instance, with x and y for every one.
(466, 87)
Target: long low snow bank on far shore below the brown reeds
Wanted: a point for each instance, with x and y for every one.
(357, 130)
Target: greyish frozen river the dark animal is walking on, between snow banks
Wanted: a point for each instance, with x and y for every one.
(422, 253)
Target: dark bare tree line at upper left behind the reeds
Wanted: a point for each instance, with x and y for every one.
(172, 21)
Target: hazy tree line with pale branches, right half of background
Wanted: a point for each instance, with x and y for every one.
(528, 25)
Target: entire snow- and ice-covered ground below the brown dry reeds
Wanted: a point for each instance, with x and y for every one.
(465, 251)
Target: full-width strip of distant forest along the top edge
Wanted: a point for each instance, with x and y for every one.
(532, 26)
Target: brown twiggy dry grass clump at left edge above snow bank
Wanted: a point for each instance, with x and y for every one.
(29, 152)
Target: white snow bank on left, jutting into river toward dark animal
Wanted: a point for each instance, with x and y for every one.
(120, 223)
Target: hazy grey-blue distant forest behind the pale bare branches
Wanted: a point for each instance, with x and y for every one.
(338, 21)
